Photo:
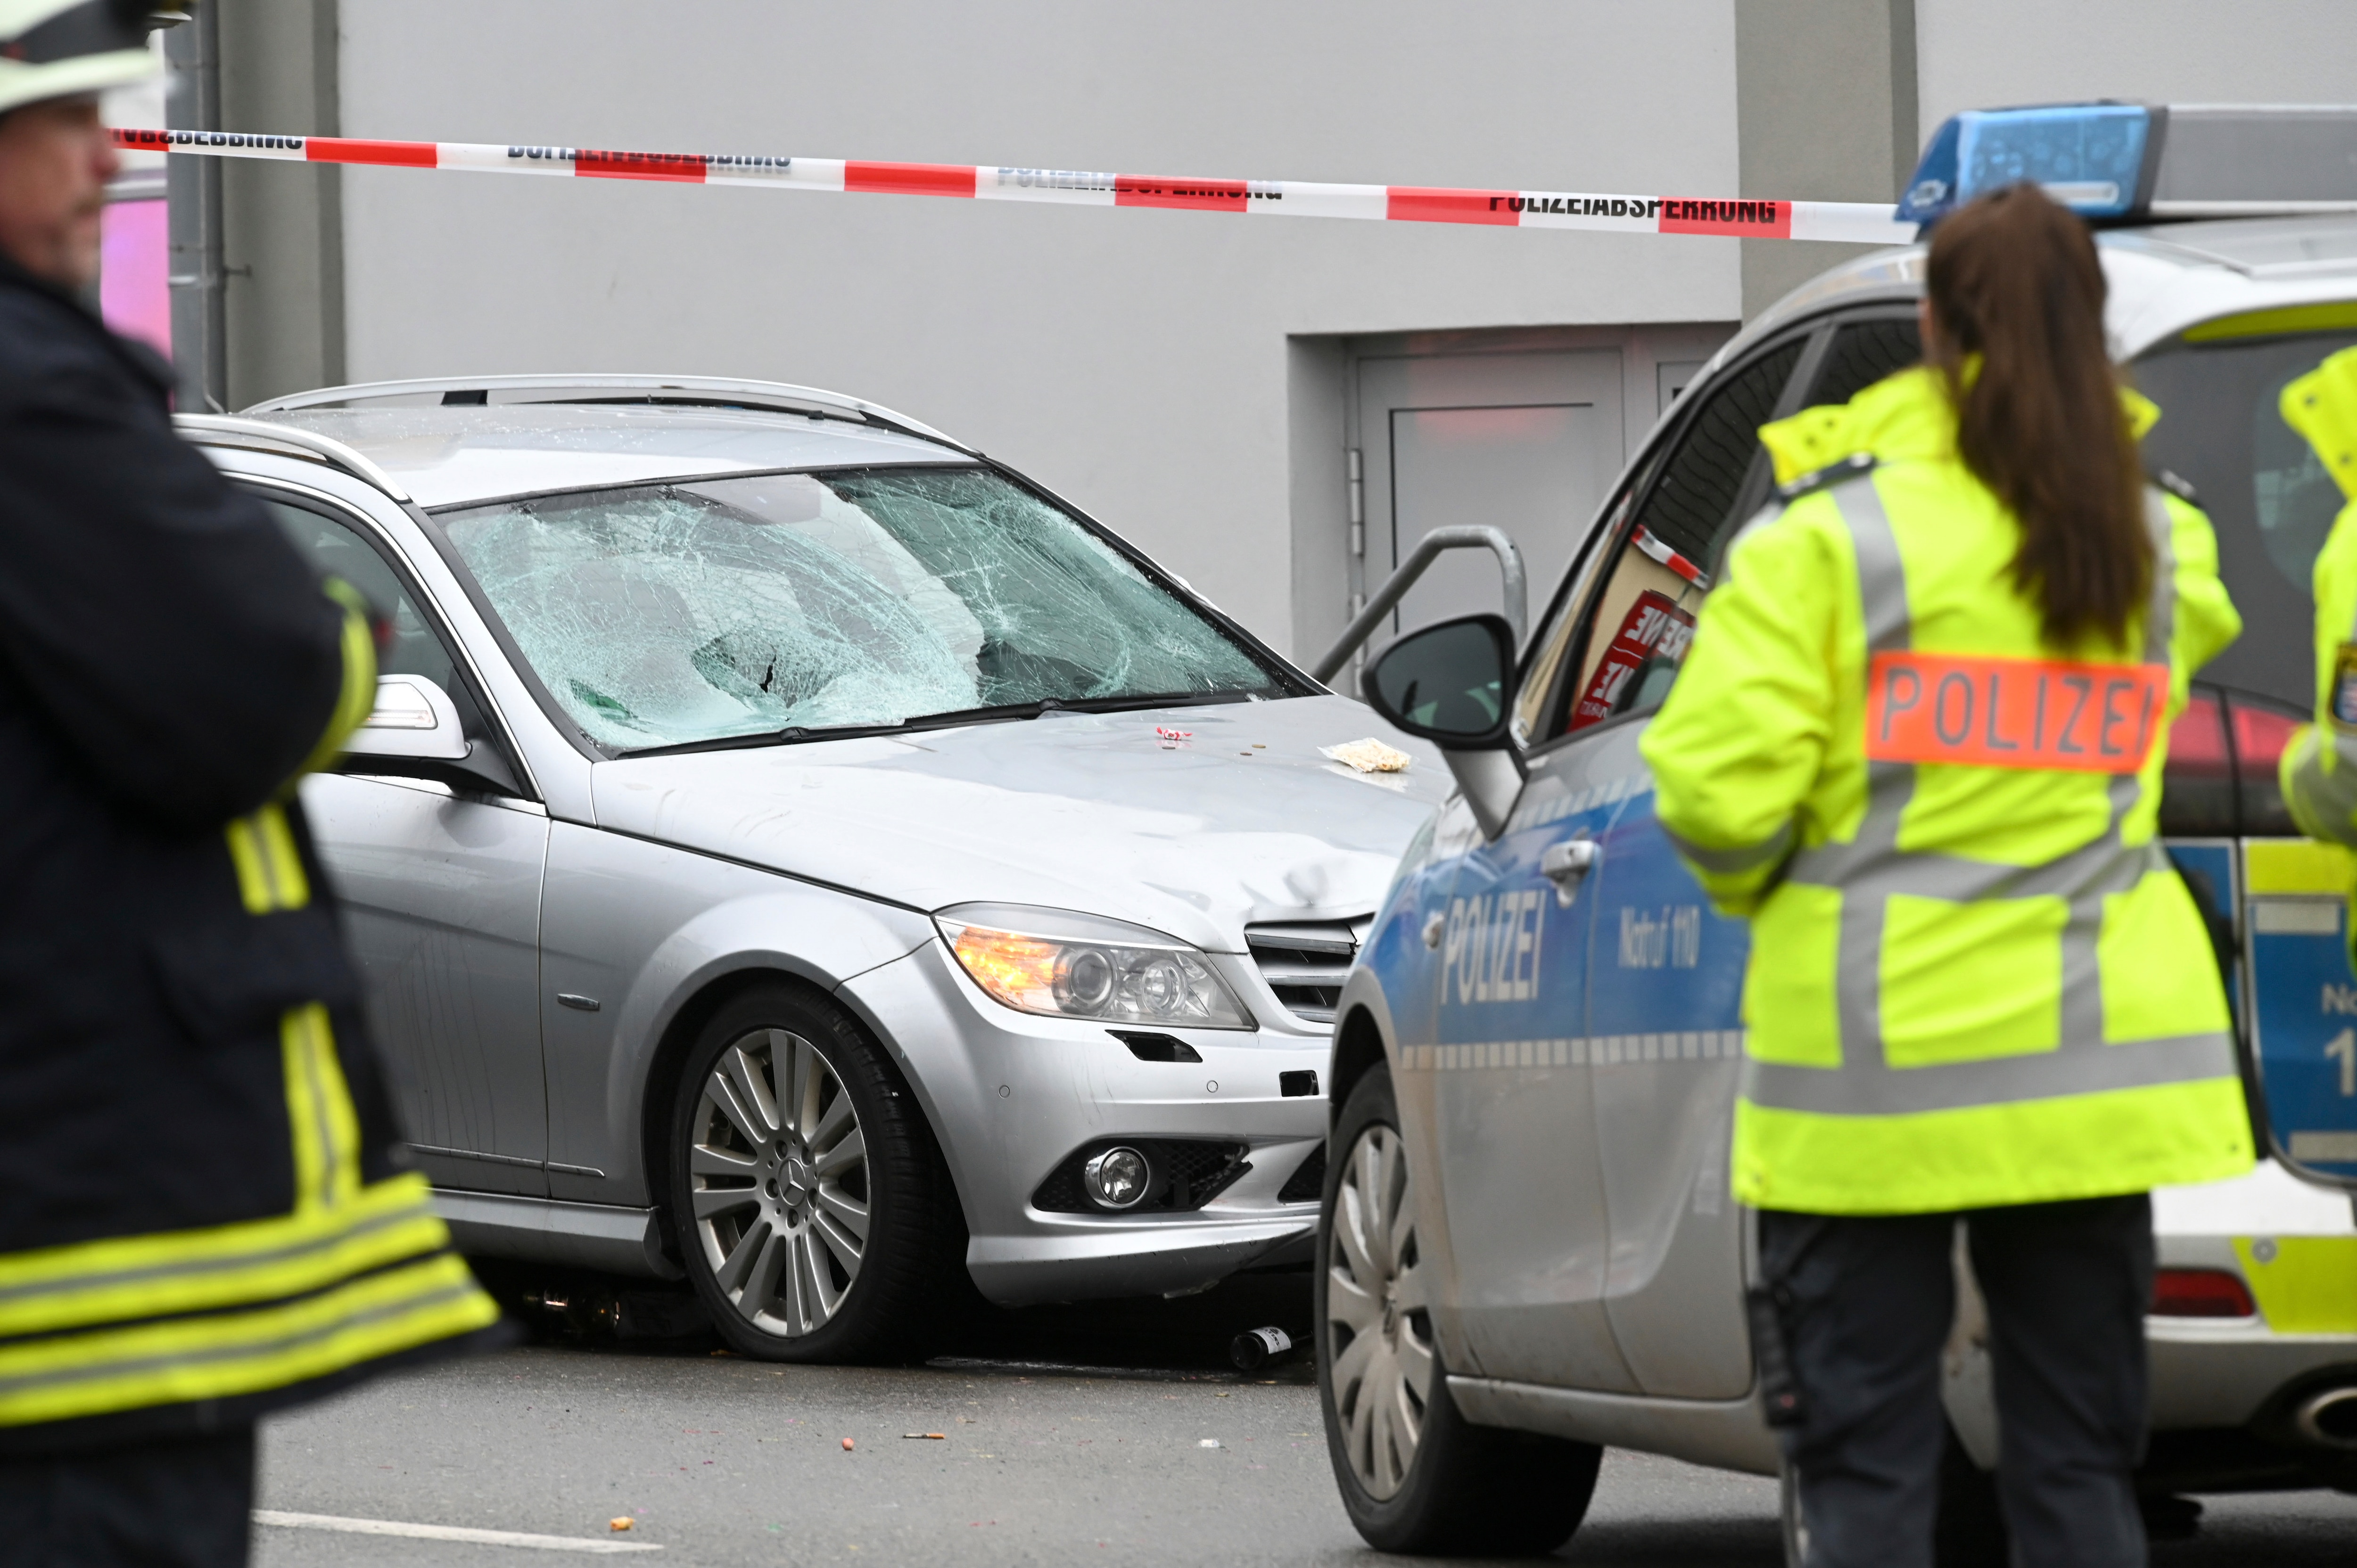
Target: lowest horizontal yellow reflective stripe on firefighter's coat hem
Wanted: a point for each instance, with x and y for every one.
(249, 1352)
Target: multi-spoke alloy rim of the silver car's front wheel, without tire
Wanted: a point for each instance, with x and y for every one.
(779, 1182)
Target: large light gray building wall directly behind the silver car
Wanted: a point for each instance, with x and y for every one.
(1135, 362)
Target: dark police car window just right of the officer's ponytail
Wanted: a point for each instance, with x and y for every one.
(2264, 489)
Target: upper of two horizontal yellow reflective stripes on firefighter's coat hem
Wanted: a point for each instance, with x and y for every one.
(263, 1263)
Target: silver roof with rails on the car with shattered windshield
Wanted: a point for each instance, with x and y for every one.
(494, 437)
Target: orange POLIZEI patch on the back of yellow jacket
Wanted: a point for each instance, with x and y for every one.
(2014, 713)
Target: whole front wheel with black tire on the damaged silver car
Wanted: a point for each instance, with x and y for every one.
(812, 1208)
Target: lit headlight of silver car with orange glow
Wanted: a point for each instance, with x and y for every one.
(1076, 966)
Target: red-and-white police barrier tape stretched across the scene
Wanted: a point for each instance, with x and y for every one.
(1781, 220)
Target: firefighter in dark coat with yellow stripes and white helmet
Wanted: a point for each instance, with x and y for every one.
(206, 1211)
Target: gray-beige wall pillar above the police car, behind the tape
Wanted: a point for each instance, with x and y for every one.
(1825, 105)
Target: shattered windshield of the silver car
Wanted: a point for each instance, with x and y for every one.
(871, 598)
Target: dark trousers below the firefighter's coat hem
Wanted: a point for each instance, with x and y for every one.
(164, 1506)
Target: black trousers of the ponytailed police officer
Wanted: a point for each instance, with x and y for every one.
(1868, 1307)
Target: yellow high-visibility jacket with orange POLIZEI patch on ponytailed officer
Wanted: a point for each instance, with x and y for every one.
(1974, 975)
